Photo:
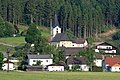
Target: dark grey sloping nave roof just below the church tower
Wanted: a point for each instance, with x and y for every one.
(60, 37)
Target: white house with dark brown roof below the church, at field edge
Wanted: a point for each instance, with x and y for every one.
(81, 61)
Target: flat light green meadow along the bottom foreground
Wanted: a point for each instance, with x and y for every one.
(59, 76)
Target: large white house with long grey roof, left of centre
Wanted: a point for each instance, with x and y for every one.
(45, 59)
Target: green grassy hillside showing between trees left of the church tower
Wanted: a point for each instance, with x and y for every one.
(11, 42)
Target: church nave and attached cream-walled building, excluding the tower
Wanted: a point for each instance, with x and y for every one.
(62, 39)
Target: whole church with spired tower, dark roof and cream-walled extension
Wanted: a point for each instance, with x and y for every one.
(61, 39)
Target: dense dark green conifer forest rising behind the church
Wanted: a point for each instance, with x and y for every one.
(86, 18)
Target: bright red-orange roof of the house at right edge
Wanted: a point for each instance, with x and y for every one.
(112, 60)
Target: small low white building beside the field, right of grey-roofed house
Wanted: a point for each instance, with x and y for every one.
(55, 67)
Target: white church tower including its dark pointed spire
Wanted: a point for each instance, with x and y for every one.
(55, 28)
